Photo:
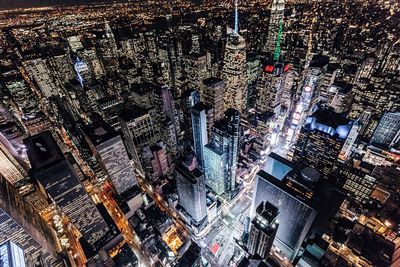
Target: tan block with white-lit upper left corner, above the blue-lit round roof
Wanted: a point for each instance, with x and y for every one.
(340, 96)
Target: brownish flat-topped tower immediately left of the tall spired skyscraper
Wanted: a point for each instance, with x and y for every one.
(214, 95)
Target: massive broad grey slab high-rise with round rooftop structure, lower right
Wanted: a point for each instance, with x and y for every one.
(305, 201)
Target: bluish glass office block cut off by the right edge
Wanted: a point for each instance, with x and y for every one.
(387, 133)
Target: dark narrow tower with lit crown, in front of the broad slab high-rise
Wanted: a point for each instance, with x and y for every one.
(263, 230)
